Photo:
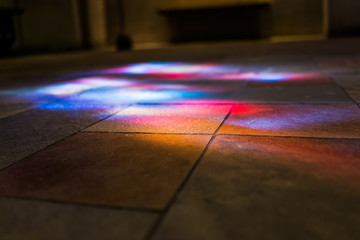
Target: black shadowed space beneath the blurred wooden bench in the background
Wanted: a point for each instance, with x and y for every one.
(223, 23)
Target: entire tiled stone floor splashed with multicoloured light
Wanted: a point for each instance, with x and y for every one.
(218, 141)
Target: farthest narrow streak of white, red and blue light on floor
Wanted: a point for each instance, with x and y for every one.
(188, 71)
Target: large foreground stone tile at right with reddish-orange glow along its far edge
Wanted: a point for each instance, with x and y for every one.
(270, 188)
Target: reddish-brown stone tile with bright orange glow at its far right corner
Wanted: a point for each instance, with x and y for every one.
(141, 171)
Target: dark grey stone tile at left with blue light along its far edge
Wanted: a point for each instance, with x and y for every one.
(31, 131)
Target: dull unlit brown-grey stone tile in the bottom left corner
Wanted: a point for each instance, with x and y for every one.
(33, 220)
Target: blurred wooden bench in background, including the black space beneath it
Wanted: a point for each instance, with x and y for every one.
(201, 20)
